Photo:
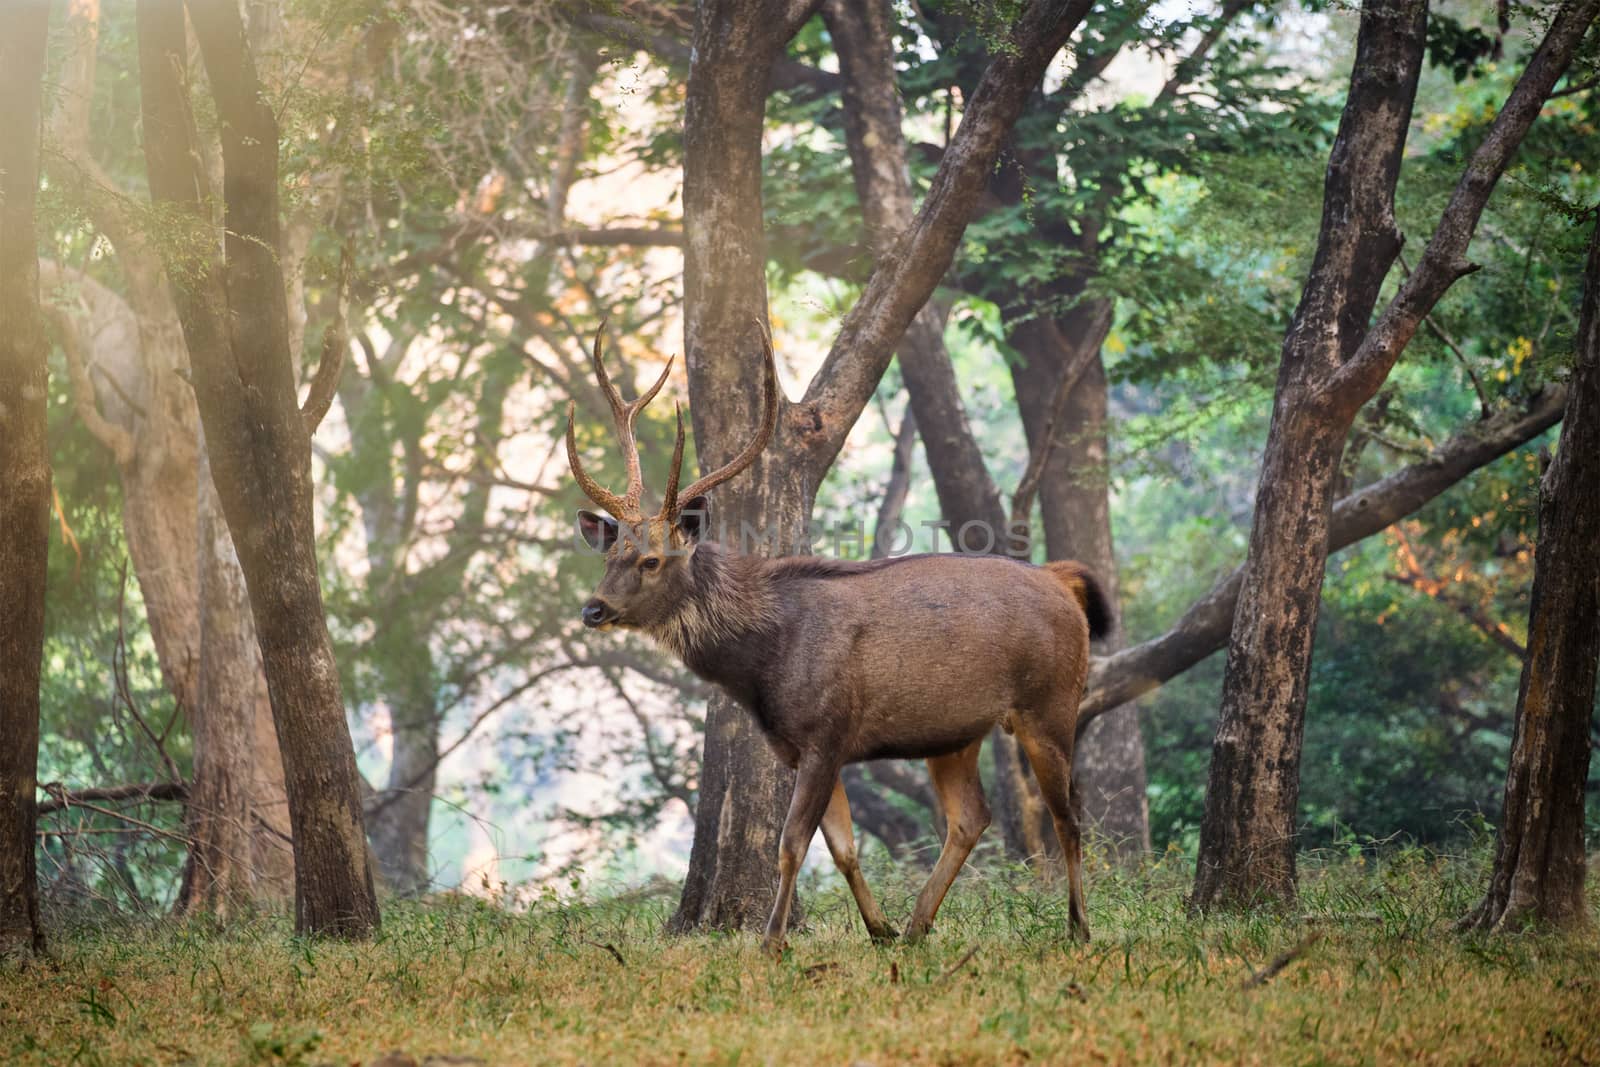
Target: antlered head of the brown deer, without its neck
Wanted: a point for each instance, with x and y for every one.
(647, 559)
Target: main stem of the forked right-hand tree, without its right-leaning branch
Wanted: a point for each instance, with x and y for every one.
(1247, 837)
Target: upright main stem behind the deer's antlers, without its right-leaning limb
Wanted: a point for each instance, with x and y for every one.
(743, 789)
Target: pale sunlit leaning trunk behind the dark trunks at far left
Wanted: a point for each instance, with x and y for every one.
(150, 425)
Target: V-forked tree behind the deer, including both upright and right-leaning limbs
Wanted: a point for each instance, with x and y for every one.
(732, 874)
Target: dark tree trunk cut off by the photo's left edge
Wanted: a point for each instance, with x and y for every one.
(25, 471)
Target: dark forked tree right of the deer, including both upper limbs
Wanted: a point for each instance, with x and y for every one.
(1332, 366)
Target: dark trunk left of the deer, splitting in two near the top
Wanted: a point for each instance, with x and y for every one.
(236, 324)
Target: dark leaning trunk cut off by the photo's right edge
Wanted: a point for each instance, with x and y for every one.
(1540, 858)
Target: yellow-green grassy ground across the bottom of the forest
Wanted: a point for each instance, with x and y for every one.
(1369, 972)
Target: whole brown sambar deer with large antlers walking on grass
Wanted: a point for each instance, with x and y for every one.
(918, 657)
